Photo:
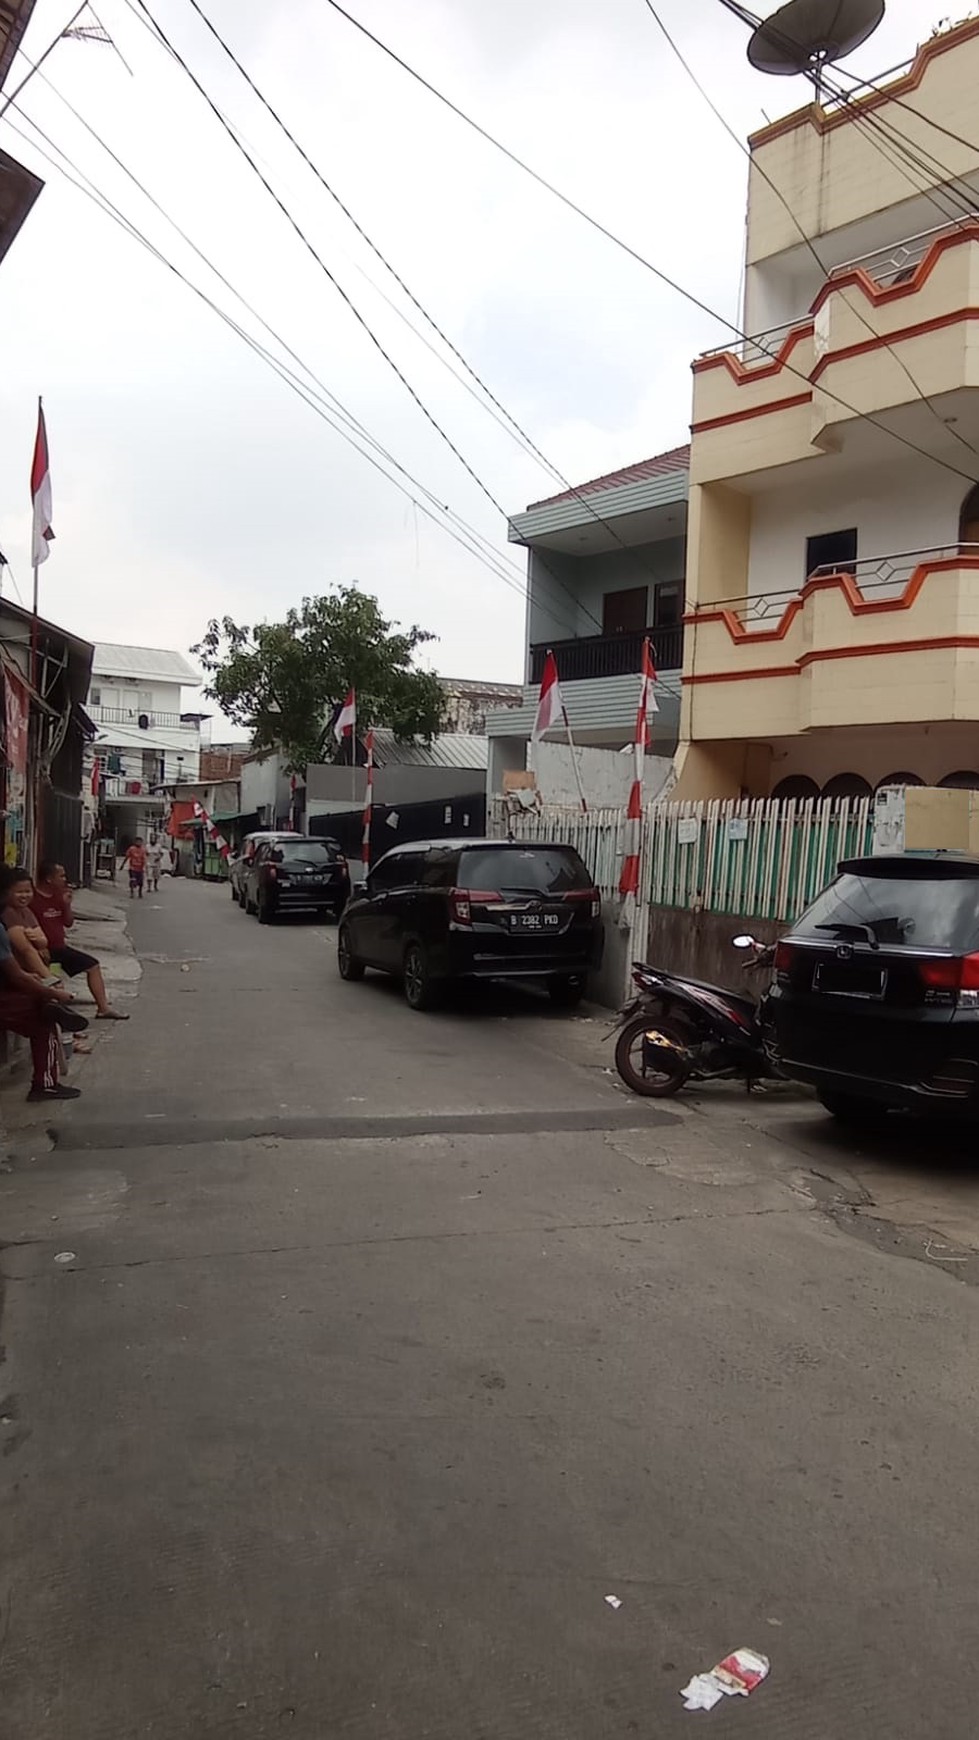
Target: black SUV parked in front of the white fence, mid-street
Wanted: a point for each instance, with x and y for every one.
(443, 911)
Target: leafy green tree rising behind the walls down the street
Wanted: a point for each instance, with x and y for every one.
(283, 681)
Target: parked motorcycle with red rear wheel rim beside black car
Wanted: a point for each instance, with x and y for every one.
(679, 1031)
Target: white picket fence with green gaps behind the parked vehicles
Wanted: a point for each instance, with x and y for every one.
(763, 859)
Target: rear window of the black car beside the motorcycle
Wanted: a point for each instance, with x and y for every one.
(896, 913)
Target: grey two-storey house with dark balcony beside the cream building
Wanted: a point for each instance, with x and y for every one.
(604, 568)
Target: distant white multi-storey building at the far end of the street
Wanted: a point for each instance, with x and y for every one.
(147, 739)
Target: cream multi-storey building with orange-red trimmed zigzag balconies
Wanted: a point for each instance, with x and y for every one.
(834, 532)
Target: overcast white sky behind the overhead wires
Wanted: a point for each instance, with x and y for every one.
(189, 479)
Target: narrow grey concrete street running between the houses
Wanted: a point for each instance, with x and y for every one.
(392, 1344)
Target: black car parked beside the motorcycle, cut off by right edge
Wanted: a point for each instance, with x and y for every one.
(877, 987)
